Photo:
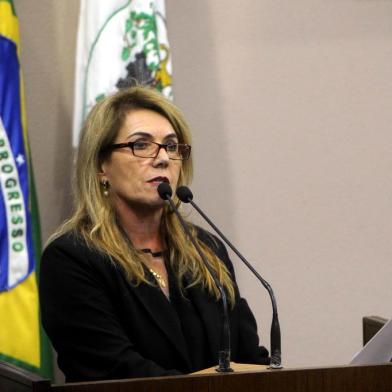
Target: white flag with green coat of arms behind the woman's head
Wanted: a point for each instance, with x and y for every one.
(119, 42)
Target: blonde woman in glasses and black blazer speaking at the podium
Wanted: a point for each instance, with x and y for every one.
(123, 292)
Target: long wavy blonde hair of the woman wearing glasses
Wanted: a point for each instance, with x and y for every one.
(95, 219)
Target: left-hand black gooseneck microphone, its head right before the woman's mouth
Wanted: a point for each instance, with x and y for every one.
(165, 192)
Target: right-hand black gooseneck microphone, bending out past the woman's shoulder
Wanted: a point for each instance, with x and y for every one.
(186, 196)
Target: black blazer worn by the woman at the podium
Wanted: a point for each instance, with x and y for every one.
(103, 327)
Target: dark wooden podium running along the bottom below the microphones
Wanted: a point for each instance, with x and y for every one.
(369, 378)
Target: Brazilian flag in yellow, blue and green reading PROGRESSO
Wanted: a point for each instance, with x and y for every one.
(22, 341)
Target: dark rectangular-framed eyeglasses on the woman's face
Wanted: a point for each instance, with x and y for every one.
(175, 151)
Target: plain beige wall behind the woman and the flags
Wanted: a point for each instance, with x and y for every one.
(290, 106)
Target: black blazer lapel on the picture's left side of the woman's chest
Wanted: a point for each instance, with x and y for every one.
(162, 312)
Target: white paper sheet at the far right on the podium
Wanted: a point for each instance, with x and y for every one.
(378, 349)
